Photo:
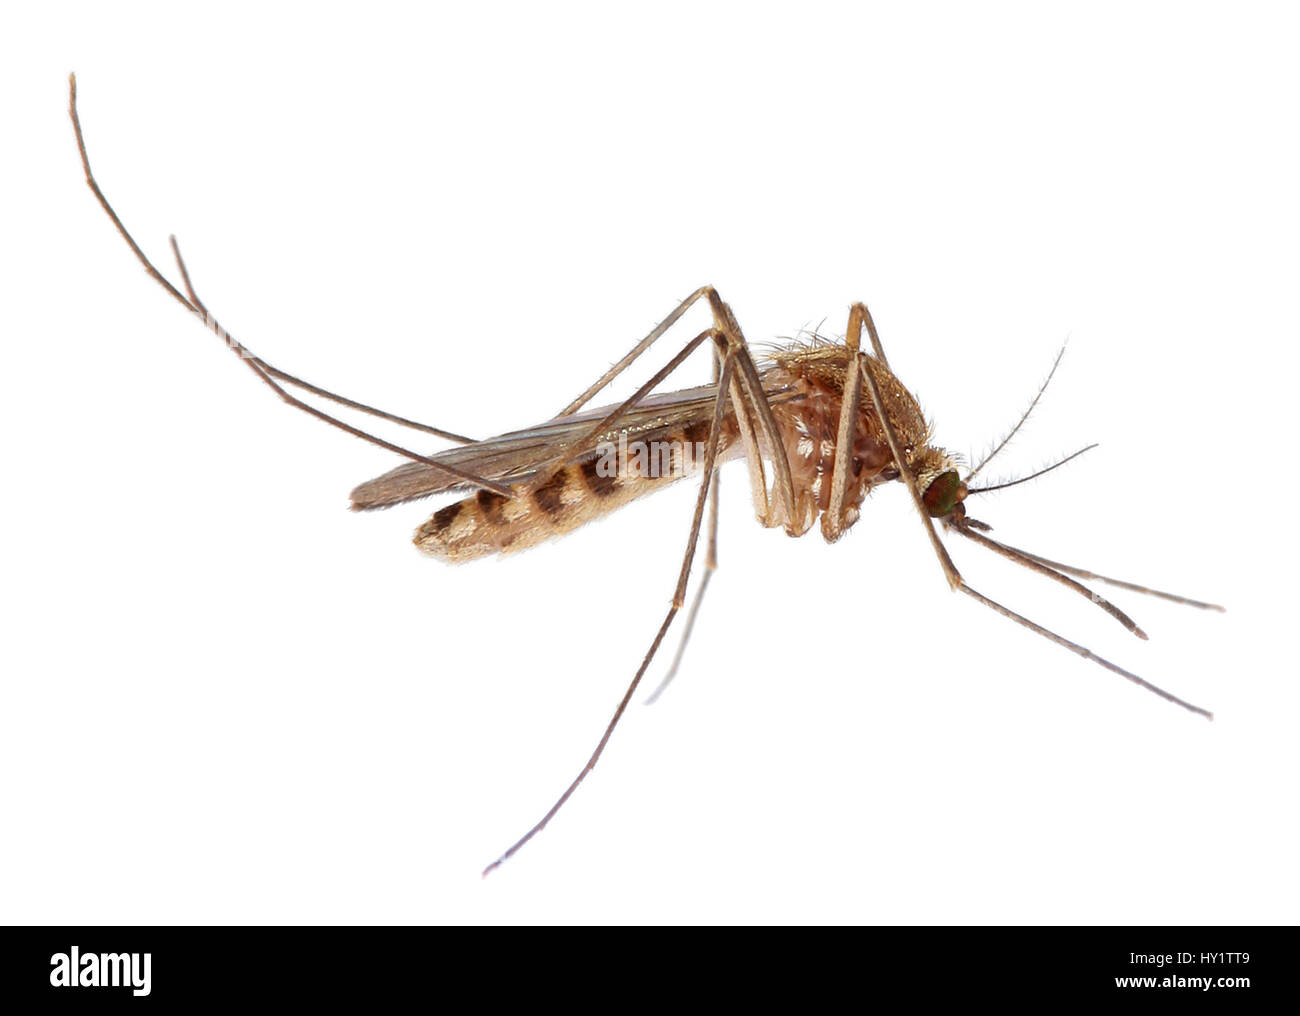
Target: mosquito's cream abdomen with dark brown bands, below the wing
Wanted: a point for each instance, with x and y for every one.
(487, 523)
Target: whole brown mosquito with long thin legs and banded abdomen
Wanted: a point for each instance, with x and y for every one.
(830, 419)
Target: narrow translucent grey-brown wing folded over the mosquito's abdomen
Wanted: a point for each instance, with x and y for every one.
(515, 458)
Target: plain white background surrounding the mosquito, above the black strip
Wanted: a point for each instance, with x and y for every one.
(228, 700)
